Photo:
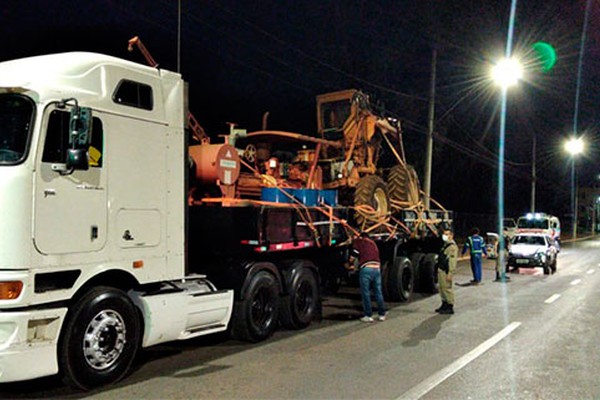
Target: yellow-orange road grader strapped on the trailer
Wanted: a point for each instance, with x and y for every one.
(344, 155)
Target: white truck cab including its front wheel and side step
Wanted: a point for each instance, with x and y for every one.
(93, 236)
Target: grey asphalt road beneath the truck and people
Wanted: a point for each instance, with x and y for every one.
(535, 337)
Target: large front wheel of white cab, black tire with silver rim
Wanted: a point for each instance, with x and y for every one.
(100, 339)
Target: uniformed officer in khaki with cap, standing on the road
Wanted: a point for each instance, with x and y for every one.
(446, 269)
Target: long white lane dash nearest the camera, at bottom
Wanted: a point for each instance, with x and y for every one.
(434, 380)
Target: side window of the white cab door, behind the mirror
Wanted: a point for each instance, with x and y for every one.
(57, 139)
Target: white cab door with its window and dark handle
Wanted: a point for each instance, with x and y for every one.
(70, 207)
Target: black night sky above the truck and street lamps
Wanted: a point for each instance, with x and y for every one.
(243, 58)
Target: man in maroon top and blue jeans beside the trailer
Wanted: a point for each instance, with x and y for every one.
(369, 275)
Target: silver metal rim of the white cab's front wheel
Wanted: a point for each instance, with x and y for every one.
(104, 339)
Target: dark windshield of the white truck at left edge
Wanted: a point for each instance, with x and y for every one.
(16, 116)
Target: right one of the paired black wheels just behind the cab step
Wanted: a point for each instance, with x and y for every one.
(302, 304)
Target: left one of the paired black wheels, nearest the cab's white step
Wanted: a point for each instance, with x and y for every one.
(255, 317)
